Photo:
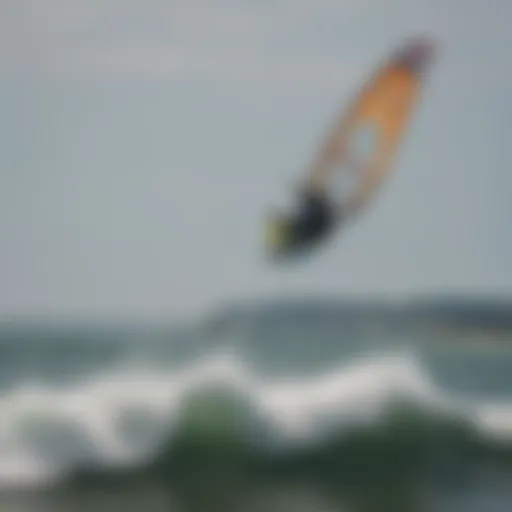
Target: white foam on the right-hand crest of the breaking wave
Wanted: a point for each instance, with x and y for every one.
(355, 394)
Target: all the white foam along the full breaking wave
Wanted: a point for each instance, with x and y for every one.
(298, 408)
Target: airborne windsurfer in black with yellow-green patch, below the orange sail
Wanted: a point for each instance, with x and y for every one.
(314, 220)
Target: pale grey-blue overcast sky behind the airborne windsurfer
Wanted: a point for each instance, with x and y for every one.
(142, 143)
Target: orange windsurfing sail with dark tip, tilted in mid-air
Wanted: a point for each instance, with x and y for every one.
(382, 108)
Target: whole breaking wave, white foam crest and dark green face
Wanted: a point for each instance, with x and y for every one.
(372, 409)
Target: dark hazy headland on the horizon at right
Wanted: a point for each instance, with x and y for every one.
(455, 317)
